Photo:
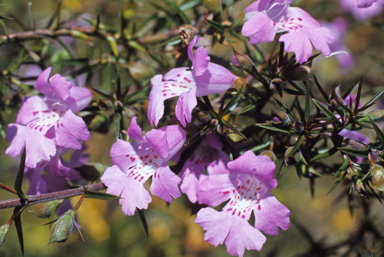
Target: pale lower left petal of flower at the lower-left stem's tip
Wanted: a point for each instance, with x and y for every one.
(133, 193)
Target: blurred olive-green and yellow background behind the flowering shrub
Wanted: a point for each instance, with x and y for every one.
(321, 220)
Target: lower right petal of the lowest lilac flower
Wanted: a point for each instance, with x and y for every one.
(270, 215)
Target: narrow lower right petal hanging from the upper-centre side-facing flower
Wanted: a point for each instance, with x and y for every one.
(187, 101)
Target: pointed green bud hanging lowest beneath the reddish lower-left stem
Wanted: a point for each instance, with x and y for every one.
(63, 227)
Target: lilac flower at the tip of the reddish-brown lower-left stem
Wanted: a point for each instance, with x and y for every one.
(135, 162)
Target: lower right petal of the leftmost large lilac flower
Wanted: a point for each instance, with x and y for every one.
(69, 129)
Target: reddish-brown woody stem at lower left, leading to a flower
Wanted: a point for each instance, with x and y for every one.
(35, 199)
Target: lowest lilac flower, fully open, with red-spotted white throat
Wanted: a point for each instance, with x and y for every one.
(247, 190)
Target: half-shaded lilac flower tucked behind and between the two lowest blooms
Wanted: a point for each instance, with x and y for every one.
(208, 154)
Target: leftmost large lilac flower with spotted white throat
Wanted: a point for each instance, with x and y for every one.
(43, 123)
